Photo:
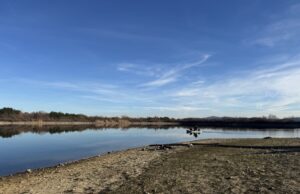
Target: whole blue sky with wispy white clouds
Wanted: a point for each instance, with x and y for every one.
(194, 58)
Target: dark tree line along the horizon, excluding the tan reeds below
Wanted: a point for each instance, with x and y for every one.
(10, 114)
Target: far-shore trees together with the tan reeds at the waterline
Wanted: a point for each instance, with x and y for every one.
(10, 116)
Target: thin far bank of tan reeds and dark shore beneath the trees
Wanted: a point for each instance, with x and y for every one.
(127, 124)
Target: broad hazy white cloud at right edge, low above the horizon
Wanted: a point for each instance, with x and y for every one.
(272, 89)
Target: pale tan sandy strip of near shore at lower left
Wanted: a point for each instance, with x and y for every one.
(85, 176)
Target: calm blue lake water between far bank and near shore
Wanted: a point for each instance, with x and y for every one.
(21, 149)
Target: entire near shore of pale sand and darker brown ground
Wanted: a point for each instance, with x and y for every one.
(196, 169)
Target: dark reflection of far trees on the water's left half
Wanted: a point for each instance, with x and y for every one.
(10, 131)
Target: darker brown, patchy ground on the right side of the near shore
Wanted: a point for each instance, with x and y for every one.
(203, 169)
